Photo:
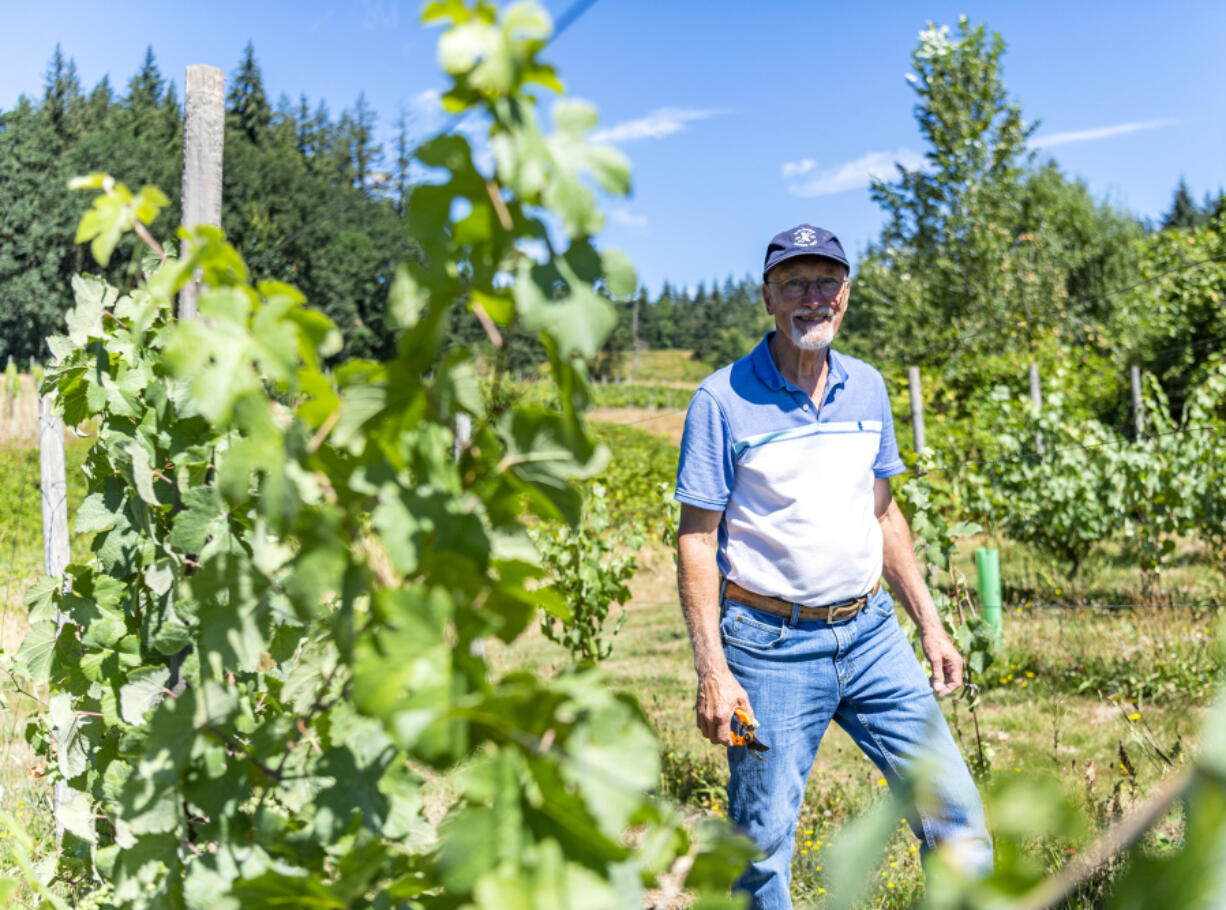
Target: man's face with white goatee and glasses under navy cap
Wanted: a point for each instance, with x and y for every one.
(811, 322)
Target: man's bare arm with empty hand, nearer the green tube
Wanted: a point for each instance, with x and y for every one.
(907, 582)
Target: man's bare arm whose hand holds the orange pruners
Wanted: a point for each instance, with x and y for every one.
(698, 584)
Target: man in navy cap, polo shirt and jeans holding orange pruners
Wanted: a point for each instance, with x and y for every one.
(784, 484)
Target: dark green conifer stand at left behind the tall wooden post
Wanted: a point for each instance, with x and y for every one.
(303, 196)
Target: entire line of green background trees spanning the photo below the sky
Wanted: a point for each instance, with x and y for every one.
(986, 251)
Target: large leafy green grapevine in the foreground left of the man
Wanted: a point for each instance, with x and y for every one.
(269, 657)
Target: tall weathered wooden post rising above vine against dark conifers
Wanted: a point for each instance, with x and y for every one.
(204, 133)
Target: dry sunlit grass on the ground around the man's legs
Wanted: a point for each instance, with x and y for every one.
(1062, 701)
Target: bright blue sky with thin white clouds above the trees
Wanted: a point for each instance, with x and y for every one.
(741, 120)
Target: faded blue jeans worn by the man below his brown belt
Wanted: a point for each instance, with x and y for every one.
(864, 674)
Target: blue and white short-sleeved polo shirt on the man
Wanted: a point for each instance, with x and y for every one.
(795, 483)
